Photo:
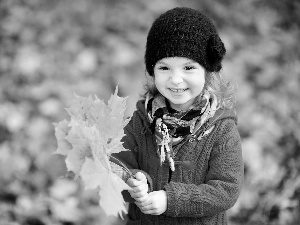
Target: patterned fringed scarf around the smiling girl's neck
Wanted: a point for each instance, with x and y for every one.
(171, 126)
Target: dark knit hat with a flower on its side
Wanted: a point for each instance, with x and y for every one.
(184, 32)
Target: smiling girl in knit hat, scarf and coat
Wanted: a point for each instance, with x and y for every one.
(183, 136)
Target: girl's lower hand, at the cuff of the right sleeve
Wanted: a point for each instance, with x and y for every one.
(155, 204)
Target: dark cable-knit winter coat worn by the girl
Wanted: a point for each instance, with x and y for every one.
(194, 196)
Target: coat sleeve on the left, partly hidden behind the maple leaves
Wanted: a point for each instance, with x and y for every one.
(130, 158)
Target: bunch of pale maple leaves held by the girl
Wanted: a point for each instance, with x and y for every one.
(88, 139)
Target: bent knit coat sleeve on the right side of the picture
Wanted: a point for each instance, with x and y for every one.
(223, 181)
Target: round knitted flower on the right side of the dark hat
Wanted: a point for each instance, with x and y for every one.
(215, 52)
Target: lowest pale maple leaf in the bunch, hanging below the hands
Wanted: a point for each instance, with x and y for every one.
(94, 175)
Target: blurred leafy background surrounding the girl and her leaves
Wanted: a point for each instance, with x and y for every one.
(50, 49)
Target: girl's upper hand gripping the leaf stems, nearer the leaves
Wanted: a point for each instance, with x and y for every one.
(139, 187)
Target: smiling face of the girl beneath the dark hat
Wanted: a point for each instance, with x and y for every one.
(180, 80)
